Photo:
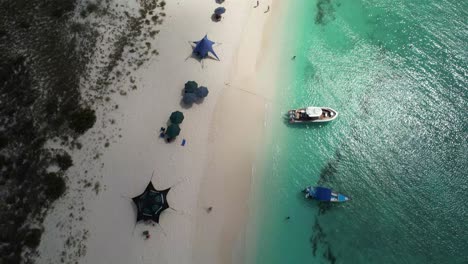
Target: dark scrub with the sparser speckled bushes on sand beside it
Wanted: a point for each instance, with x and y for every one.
(44, 57)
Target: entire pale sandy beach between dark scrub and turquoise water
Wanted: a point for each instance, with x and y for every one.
(213, 169)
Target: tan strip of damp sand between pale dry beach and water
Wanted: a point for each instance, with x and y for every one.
(241, 105)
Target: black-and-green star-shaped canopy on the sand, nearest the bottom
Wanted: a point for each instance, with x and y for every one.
(151, 203)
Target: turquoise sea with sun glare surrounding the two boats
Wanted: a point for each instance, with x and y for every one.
(397, 71)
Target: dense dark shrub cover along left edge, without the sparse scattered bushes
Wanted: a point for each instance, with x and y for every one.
(39, 94)
